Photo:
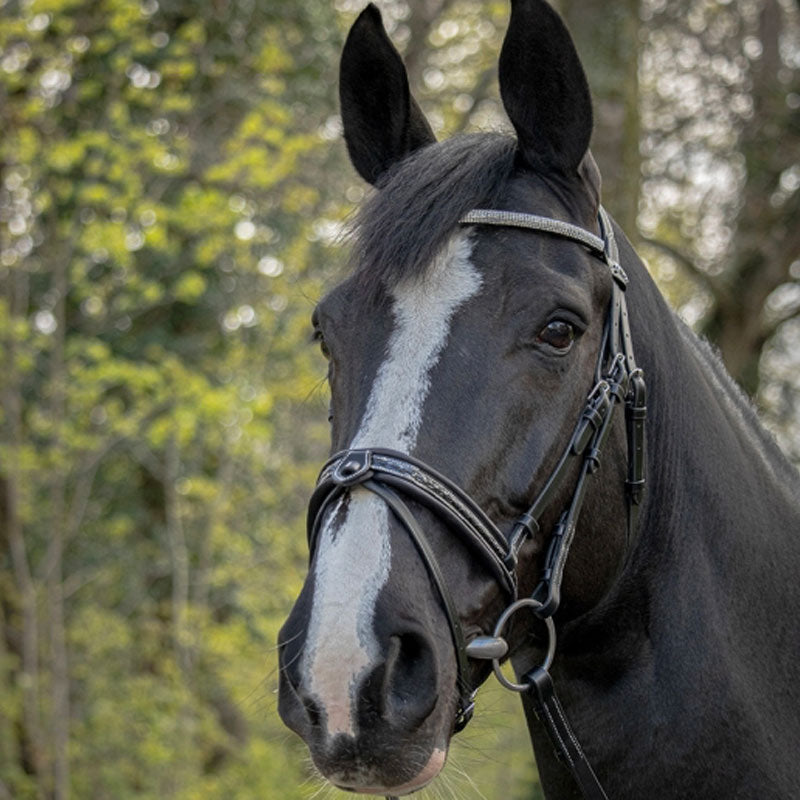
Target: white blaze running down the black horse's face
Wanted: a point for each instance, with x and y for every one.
(352, 563)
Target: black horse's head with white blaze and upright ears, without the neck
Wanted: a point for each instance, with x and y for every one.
(464, 351)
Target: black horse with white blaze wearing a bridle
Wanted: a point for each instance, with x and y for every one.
(475, 359)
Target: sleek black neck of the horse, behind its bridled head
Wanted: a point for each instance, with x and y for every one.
(706, 599)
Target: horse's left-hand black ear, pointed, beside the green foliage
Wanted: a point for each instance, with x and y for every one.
(382, 121)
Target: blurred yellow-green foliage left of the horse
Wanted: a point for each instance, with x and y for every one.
(169, 195)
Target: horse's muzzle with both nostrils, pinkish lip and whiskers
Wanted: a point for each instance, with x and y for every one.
(387, 733)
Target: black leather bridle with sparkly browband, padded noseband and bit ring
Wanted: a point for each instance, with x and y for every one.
(388, 474)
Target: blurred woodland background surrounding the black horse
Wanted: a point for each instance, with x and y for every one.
(173, 198)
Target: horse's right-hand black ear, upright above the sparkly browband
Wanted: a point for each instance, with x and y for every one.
(544, 89)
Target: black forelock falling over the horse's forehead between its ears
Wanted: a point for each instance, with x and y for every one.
(401, 228)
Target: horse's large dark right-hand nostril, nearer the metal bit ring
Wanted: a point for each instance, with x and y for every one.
(409, 689)
